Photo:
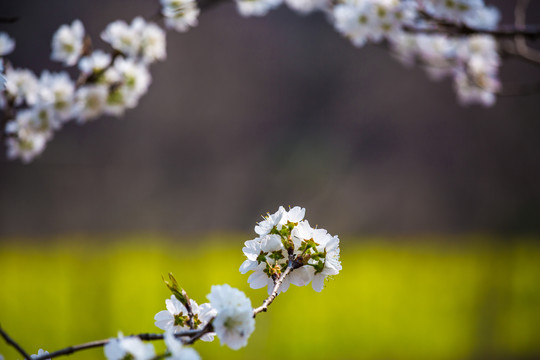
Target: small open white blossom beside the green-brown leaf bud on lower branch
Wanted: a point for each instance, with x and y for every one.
(176, 317)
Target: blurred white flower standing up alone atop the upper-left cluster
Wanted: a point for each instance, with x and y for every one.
(67, 43)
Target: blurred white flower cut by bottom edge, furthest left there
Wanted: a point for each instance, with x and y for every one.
(131, 347)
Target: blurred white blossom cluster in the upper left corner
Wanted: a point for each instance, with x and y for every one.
(109, 83)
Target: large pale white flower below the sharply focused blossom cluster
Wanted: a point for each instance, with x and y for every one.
(234, 321)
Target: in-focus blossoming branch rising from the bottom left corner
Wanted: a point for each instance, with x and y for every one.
(286, 251)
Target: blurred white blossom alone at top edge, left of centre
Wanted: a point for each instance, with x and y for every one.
(180, 15)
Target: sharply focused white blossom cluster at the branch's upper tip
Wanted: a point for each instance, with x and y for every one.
(287, 240)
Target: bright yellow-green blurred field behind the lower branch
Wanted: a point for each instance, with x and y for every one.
(425, 299)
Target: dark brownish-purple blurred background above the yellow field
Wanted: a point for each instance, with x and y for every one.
(248, 114)
